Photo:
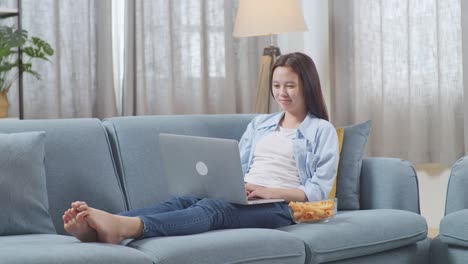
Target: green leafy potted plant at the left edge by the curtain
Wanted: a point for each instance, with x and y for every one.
(32, 48)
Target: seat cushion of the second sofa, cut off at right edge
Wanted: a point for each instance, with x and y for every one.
(453, 228)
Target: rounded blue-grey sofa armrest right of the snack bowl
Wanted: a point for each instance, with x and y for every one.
(389, 183)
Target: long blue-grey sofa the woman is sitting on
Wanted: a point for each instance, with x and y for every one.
(114, 165)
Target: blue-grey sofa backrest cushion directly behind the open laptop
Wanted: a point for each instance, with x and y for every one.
(136, 149)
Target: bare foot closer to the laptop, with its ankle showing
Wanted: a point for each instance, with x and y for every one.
(112, 228)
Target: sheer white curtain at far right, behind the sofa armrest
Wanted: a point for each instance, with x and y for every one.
(399, 63)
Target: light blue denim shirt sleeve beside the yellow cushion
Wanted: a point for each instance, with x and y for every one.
(321, 162)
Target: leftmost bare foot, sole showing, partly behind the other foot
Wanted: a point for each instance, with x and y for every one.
(75, 224)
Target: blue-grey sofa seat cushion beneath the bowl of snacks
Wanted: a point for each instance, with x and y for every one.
(358, 233)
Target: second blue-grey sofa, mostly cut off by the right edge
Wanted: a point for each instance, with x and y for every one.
(451, 246)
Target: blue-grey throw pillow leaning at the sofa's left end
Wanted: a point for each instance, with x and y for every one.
(23, 191)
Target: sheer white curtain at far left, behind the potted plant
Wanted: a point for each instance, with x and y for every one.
(78, 81)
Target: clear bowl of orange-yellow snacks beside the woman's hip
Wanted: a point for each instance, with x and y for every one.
(310, 212)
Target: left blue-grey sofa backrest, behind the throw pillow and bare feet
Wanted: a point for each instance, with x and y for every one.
(78, 164)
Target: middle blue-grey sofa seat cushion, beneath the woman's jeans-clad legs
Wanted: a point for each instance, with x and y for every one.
(225, 246)
